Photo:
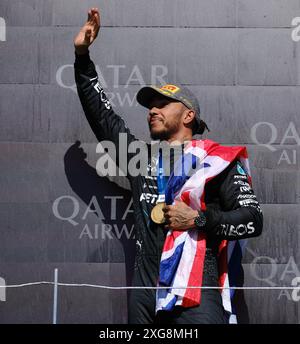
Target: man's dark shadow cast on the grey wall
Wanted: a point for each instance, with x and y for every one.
(86, 183)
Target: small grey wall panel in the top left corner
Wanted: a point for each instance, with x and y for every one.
(27, 13)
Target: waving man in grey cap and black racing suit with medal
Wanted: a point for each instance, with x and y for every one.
(230, 201)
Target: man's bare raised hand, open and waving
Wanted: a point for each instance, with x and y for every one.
(88, 33)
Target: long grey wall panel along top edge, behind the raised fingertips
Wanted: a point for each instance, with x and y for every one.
(190, 13)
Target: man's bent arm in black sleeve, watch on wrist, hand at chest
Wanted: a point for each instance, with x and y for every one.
(238, 217)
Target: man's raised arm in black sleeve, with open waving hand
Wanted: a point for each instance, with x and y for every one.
(105, 123)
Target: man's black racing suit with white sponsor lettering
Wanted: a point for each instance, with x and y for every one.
(232, 213)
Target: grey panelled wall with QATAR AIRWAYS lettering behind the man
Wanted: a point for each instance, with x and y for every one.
(239, 58)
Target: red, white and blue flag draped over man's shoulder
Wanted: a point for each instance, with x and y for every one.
(183, 254)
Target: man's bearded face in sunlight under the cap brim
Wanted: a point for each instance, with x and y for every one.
(165, 117)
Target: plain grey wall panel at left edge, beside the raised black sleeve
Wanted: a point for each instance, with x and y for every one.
(39, 114)
